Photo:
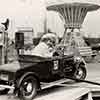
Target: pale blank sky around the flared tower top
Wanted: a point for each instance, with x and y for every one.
(31, 13)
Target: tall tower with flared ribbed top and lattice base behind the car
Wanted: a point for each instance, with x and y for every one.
(73, 15)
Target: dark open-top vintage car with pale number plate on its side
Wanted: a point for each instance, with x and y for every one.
(27, 74)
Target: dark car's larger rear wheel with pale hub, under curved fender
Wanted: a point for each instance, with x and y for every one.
(28, 88)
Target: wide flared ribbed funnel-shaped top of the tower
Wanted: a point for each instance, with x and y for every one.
(73, 13)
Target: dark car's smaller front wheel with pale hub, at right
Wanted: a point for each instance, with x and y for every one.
(80, 73)
